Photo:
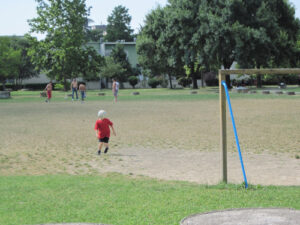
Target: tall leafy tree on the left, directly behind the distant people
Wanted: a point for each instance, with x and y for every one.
(61, 53)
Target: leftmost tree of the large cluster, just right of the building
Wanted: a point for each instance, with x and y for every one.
(157, 45)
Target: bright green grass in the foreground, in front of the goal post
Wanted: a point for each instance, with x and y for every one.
(121, 200)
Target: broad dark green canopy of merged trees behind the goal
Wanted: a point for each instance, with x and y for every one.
(205, 34)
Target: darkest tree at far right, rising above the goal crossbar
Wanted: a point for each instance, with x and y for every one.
(268, 39)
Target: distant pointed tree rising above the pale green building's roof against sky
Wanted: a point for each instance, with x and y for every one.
(118, 26)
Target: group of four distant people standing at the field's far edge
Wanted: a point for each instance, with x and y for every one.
(82, 89)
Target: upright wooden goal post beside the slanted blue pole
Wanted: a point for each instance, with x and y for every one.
(223, 141)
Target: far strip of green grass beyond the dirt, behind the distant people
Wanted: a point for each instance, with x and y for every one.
(207, 93)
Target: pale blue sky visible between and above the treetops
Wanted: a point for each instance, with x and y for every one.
(15, 13)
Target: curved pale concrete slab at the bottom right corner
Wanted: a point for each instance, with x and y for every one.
(255, 216)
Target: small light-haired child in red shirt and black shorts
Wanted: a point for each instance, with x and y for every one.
(102, 128)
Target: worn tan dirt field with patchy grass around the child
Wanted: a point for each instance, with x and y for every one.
(176, 140)
